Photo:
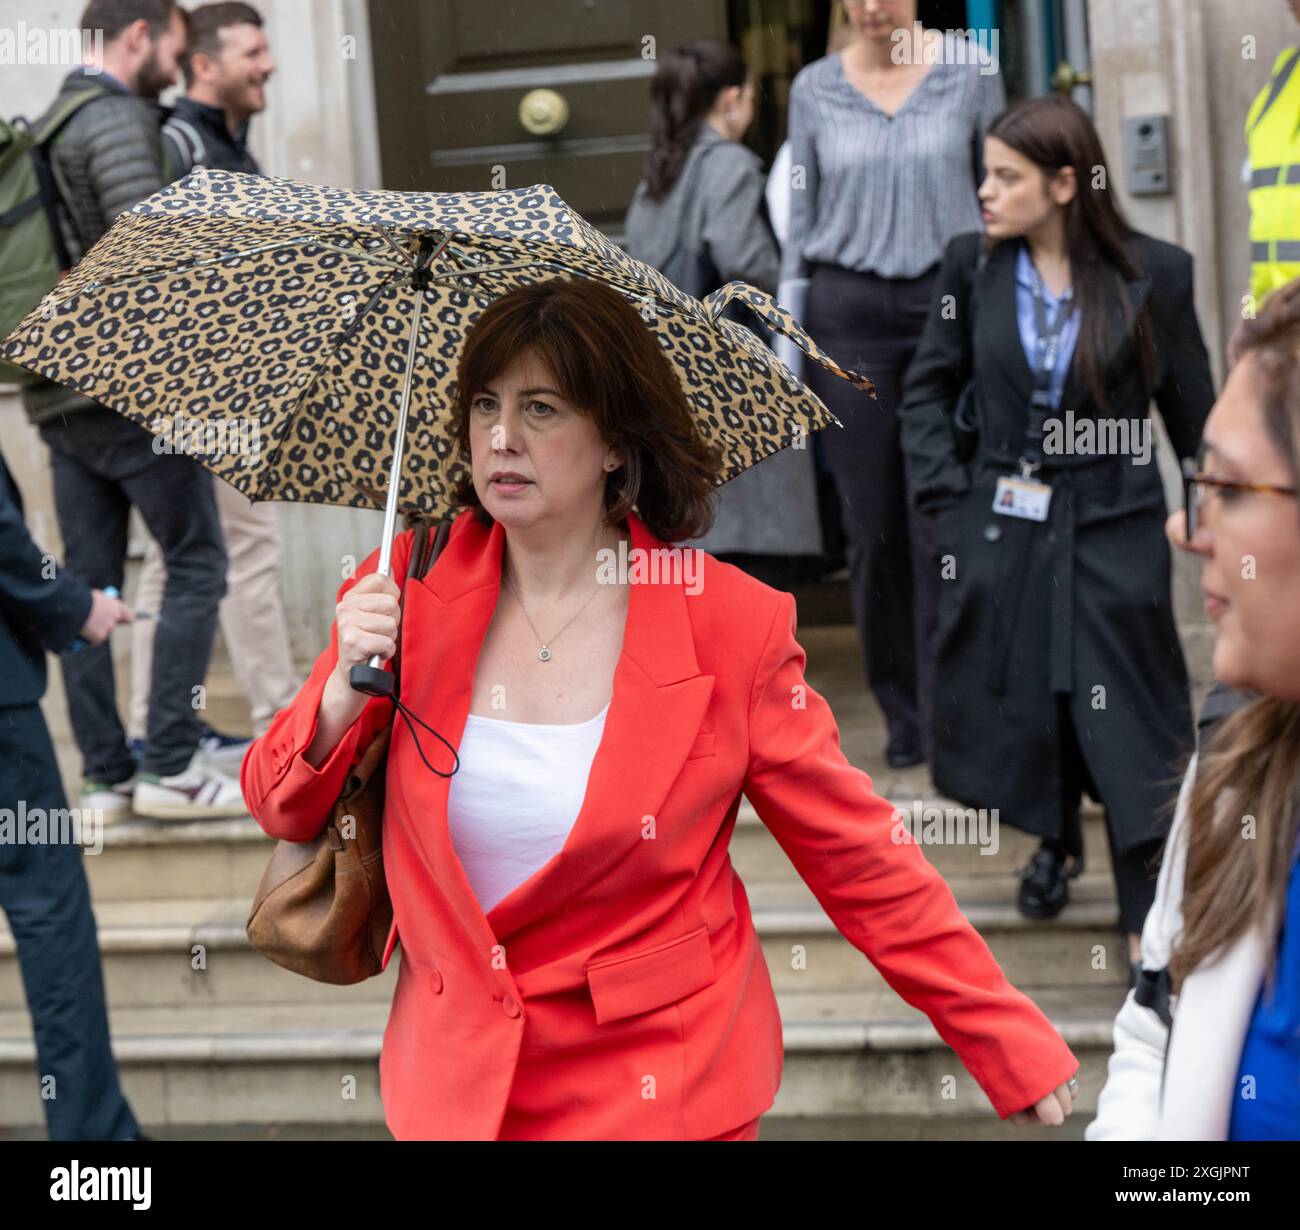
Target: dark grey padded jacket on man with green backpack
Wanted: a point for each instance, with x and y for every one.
(107, 159)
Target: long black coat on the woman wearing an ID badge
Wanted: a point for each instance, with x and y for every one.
(1077, 607)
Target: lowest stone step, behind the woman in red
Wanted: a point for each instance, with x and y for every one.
(258, 1064)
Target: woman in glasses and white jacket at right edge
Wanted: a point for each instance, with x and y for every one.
(1208, 1046)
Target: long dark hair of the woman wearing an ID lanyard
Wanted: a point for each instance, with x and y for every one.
(1055, 133)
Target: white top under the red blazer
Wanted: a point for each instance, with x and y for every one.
(515, 798)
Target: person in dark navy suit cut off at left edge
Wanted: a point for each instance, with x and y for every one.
(44, 887)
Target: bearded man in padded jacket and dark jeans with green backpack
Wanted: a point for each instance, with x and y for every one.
(106, 161)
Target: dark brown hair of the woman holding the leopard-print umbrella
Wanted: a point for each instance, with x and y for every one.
(609, 365)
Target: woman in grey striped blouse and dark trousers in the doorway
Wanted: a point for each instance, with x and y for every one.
(886, 140)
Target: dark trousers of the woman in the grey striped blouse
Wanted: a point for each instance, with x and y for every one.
(873, 326)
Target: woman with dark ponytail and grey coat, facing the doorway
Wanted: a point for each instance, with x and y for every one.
(700, 218)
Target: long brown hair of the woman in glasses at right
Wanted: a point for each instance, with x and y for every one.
(1251, 763)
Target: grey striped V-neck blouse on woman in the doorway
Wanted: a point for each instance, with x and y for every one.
(885, 196)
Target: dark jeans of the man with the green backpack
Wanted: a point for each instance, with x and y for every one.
(103, 465)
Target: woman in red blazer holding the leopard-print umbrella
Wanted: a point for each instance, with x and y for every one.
(619, 990)
